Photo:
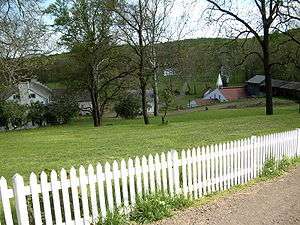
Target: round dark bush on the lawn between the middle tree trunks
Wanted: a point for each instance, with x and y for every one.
(128, 107)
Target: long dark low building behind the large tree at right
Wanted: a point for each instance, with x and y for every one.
(256, 87)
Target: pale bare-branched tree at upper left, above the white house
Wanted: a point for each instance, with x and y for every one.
(23, 36)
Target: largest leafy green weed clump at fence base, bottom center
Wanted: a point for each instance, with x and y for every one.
(156, 207)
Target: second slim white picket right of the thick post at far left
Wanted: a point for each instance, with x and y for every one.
(46, 198)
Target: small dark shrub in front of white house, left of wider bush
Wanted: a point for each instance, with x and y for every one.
(37, 113)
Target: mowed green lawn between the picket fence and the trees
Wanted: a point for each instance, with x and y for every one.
(79, 143)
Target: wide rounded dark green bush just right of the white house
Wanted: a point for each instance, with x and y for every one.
(61, 110)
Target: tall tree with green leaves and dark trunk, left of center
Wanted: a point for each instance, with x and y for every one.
(87, 29)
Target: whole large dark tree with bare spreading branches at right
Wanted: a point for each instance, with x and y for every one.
(268, 16)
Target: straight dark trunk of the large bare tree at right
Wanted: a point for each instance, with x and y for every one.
(268, 76)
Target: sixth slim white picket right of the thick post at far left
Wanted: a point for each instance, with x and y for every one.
(84, 195)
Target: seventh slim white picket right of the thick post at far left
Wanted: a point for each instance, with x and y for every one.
(93, 195)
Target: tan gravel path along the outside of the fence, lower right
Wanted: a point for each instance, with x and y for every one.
(272, 202)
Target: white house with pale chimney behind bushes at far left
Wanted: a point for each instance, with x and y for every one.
(27, 92)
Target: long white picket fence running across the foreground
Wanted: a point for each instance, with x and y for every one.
(85, 197)
